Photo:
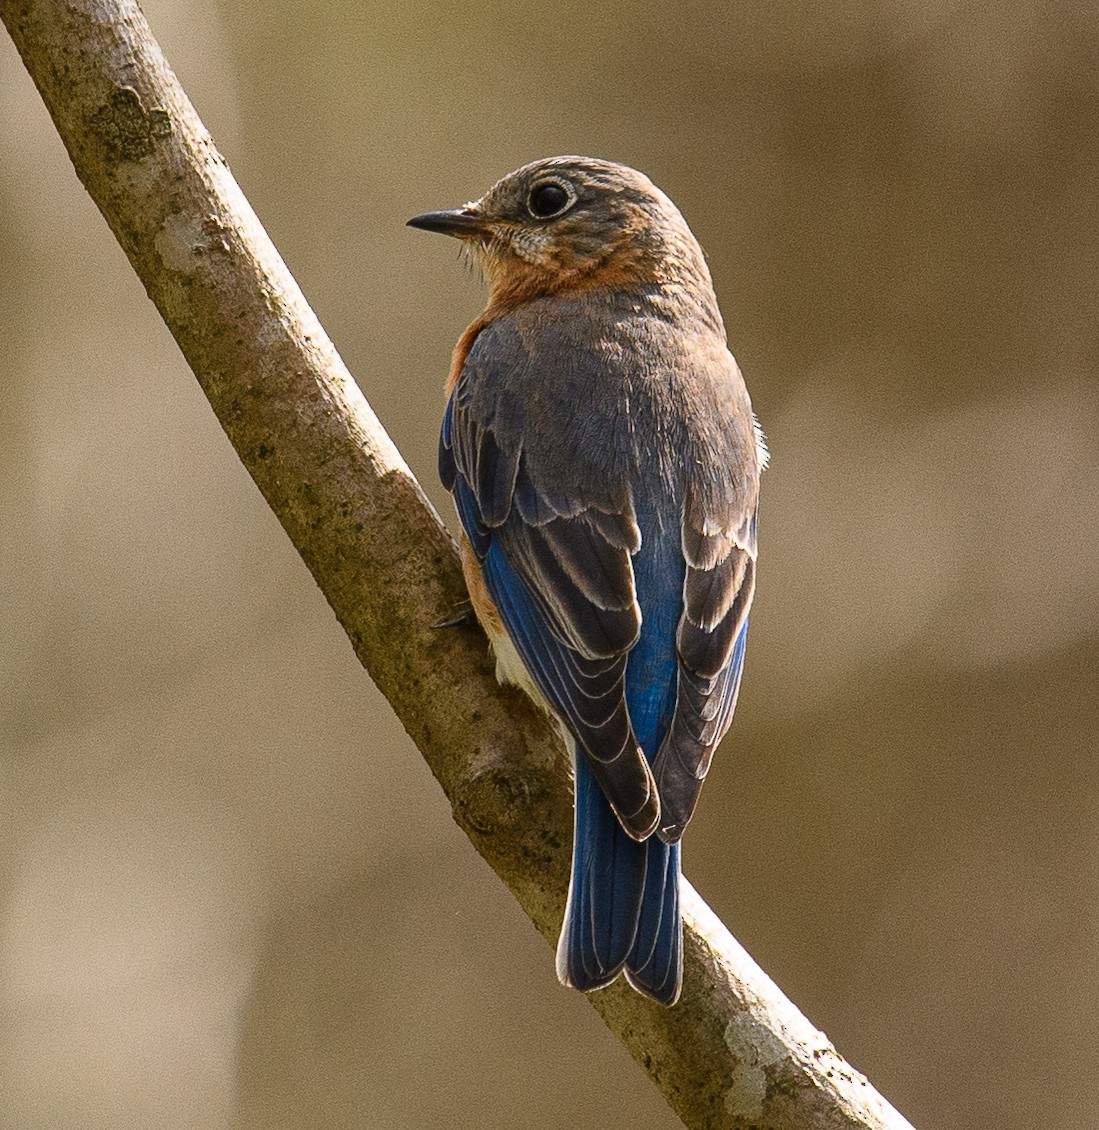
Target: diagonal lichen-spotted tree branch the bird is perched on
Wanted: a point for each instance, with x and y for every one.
(735, 1053)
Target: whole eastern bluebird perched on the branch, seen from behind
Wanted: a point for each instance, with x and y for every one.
(605, 462)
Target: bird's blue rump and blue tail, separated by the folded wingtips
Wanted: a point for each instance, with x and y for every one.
(624, 898)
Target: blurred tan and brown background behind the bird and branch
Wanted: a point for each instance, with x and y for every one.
(231, 893)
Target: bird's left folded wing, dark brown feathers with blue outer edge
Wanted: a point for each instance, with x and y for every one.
(562, 581)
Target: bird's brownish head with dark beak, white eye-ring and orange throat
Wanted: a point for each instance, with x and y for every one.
(569, 224)
